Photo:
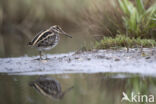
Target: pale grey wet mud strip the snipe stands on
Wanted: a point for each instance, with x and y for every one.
(95, 61)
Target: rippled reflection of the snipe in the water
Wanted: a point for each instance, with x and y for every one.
(49, 87)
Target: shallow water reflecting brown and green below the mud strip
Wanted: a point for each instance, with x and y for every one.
(97, 88)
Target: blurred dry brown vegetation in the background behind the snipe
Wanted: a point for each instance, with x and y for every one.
(100, 17)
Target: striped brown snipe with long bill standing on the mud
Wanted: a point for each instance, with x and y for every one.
(47, 39)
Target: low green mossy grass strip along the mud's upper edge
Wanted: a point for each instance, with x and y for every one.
(124, 41)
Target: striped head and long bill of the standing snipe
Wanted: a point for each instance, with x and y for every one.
(59, 30)
